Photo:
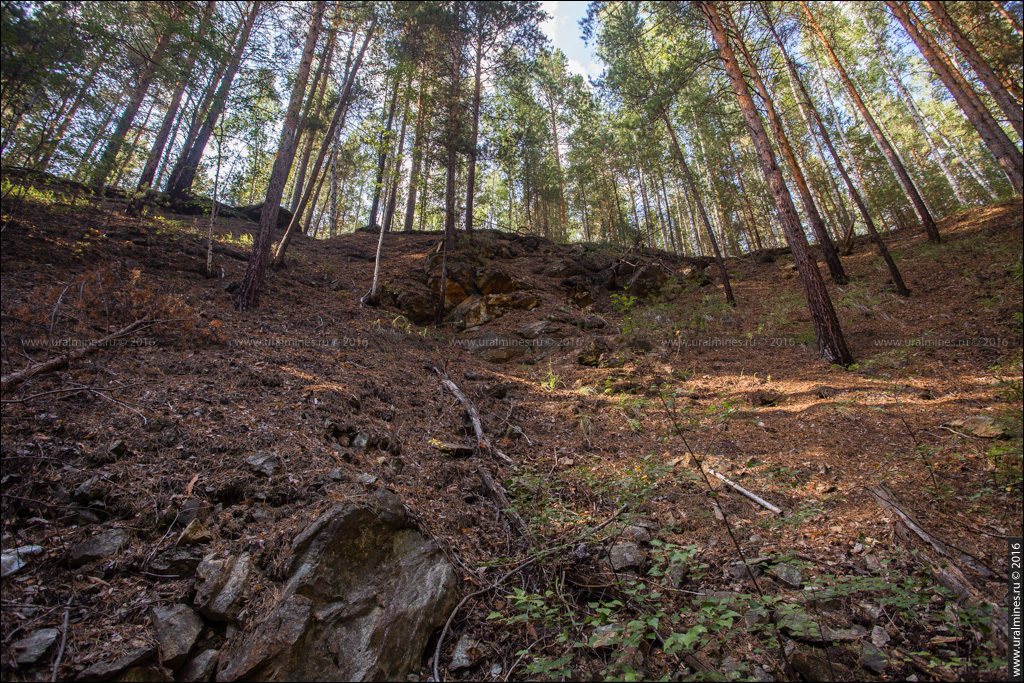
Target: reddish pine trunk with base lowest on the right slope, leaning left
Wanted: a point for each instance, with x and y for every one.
(832, 346)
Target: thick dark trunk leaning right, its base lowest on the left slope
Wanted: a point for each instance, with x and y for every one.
(248, 296)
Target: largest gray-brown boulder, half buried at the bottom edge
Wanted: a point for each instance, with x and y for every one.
(365, 595)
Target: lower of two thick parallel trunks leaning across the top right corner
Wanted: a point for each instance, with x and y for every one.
(992, 134)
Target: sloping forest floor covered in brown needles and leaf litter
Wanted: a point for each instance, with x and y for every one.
(842, 585)
